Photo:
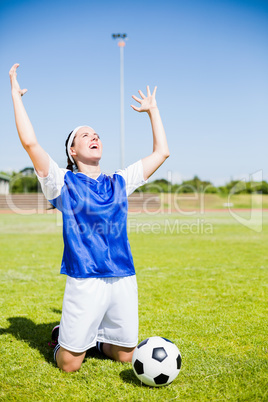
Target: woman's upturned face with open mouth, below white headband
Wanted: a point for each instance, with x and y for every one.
(87, 146)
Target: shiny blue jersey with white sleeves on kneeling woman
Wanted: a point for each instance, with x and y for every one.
(94, 219)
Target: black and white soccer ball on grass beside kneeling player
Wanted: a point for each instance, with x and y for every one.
(156, 361)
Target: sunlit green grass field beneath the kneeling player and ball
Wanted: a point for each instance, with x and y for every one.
(205, 289)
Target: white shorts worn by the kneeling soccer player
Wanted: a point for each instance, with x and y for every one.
(99, 309)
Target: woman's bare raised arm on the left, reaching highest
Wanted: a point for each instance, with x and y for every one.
(25, 129)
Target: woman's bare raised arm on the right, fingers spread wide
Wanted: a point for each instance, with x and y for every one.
(160, 147)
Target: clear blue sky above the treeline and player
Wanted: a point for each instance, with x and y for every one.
(209, 60)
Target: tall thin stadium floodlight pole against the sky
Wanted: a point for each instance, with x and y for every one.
(121, 41)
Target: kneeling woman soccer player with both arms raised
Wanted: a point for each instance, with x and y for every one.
(100, 303)
